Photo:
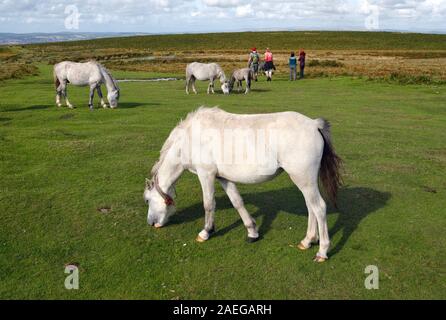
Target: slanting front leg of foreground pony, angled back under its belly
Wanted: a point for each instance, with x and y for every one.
(237, 201)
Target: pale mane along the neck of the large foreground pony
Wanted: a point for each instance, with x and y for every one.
(183, 124)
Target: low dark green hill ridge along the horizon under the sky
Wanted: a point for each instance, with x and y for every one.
(285, 40)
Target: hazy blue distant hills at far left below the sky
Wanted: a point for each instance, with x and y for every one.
(29, 38)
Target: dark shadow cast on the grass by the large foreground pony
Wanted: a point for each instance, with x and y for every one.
(355, 204)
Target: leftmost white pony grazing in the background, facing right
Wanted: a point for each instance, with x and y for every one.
(90, 74)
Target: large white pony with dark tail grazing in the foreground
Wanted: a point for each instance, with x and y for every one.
(211, 144)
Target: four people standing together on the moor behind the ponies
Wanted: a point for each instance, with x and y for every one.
(255, 64)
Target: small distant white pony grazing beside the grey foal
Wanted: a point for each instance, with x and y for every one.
(203, 72)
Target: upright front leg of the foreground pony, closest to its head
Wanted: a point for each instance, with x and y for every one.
(207, 181)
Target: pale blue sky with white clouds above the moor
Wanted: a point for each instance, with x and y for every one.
(185, 16)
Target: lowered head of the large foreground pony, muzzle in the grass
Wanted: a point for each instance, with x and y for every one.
(161, 205)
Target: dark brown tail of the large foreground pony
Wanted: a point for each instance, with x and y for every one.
(331, 163)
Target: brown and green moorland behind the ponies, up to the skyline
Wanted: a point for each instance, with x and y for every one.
(394, 57)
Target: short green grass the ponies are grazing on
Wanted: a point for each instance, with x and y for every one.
(58, 166)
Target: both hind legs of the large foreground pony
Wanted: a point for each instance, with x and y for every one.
(317, 219)
